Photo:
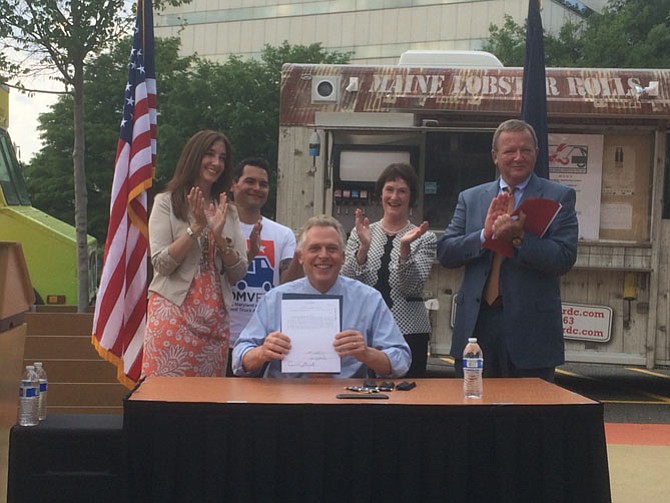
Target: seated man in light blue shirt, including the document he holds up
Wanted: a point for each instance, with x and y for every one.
(323, 323)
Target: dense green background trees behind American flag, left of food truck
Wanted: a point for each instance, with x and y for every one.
(239, 97)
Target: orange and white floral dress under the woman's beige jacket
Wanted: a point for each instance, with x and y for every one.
(191, 339)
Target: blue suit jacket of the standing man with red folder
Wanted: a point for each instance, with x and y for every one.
(529, 281)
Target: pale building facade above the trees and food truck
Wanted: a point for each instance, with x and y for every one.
(376, 31)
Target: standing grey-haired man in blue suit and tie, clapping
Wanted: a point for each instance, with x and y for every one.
(520, 327)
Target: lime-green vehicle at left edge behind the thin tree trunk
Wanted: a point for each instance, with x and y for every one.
(49, 245)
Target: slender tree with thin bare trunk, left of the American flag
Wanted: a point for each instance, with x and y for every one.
(63, 34)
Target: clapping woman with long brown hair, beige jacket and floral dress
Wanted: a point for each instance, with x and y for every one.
(197, 251)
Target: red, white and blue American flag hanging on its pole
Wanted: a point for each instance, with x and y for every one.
(120, 309)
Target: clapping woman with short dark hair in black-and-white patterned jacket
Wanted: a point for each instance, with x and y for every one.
(395, 256)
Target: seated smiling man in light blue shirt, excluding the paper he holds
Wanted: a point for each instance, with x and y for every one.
(370, 340)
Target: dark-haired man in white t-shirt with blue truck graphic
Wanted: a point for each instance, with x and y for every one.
(271, 246)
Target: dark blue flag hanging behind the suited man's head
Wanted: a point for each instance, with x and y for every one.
(534, 98)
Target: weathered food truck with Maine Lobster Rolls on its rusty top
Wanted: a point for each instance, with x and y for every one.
(608, 135)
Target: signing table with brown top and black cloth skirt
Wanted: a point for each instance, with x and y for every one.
(281, 440)
